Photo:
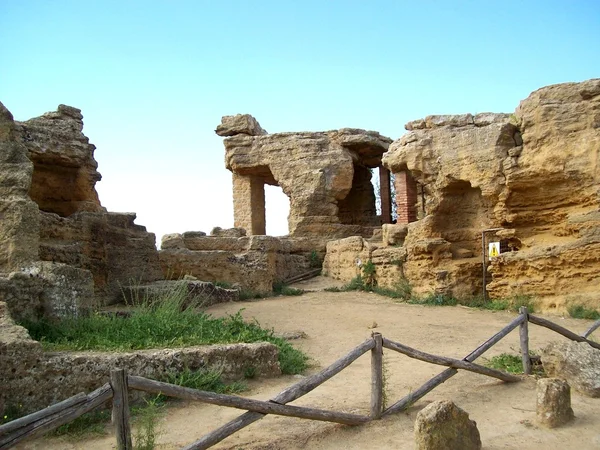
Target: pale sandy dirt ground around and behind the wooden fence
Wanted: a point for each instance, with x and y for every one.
(335, 323)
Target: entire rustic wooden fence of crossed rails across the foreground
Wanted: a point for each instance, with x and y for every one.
(68, 410)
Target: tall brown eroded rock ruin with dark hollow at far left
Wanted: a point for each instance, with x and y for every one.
(50, 213)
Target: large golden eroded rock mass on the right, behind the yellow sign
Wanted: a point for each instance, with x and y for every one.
(535, 174)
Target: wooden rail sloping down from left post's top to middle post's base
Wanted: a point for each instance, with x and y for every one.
(232, 401)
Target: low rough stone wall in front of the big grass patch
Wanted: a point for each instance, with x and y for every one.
(32, 379)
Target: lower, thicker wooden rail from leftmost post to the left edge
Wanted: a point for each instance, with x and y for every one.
(59, 416)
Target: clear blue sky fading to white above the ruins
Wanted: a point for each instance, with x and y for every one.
(153, 78)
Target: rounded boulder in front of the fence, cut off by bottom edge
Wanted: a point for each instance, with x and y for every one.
(443, 425)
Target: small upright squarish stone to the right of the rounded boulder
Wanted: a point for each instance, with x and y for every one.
(553, 402)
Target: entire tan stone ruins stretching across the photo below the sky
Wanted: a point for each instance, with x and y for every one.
(529, 180)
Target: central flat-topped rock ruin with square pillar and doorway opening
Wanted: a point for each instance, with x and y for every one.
(325, 175)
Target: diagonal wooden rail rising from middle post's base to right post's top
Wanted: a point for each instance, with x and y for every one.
(449, 373)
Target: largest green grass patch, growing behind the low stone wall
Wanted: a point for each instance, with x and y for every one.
(160, 324)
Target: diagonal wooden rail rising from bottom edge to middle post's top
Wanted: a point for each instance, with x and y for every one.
(290, 394)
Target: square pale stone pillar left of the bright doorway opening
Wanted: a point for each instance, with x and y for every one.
(249, 204)
